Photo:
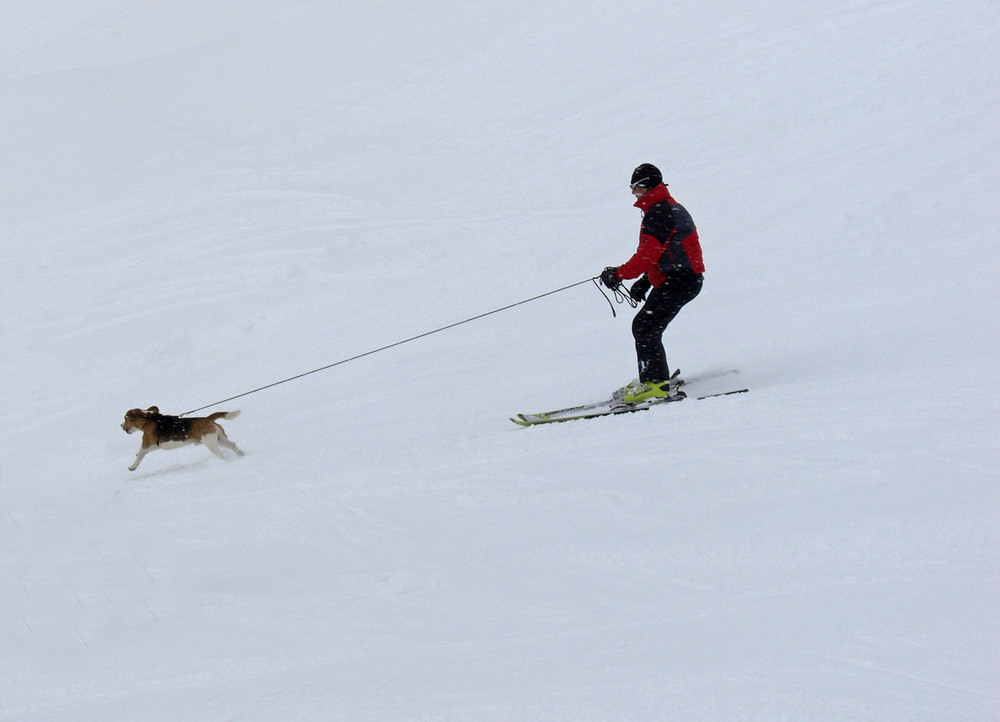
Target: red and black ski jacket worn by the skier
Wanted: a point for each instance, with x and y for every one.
(668, 240)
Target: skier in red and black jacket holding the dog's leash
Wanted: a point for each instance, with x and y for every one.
(669, 266)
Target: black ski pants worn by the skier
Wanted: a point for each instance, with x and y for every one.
(662, 304)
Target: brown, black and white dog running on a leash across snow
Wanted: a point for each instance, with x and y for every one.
(160, 431)
